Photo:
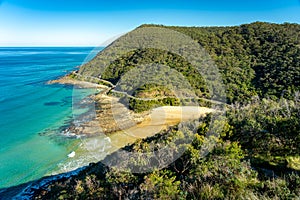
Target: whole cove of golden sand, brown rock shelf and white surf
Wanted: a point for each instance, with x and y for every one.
(115, 126)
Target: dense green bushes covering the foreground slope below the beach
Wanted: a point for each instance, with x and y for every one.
(255, 157)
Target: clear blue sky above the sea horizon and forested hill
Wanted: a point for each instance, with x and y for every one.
(92, 22)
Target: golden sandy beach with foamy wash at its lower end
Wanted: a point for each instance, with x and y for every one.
(96, 147)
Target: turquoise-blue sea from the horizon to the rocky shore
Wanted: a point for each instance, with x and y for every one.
(31, 111)
